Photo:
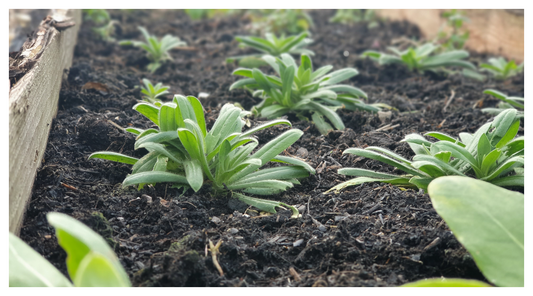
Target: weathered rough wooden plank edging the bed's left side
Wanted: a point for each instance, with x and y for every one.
(32, 106)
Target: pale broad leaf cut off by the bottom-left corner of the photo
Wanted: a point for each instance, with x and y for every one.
(27, 268)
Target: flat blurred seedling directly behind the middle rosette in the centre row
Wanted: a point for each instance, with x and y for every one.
(274, 46)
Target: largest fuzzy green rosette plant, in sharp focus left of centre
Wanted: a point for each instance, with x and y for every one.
(183, 152)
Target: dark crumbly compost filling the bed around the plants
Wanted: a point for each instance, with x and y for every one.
(368, 235)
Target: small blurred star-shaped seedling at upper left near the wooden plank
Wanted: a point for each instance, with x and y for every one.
(157, 50)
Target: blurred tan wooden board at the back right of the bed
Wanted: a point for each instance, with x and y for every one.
(496, 31)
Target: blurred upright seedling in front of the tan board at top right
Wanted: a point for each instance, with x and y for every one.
(457, 37)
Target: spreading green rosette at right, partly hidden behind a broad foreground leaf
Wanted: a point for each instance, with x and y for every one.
(491, 154)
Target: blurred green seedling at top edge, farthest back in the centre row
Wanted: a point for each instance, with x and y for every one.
(280, 21)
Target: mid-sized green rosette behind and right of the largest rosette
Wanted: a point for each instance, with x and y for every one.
(302, 91)
